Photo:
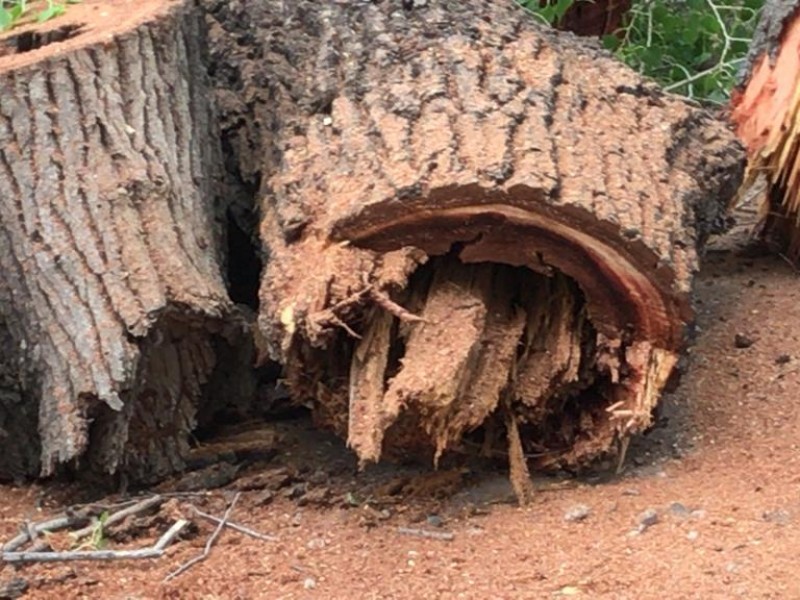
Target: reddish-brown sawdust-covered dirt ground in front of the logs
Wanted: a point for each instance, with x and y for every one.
(722, 470)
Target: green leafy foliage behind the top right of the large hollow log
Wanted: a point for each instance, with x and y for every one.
(691, 47)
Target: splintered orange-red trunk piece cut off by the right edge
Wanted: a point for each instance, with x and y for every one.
(766, 108)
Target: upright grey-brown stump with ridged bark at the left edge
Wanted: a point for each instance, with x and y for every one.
(111, 295)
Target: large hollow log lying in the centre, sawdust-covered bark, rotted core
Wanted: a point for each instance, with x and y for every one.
(473, 223)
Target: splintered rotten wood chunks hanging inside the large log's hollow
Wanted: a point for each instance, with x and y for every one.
(490, 340)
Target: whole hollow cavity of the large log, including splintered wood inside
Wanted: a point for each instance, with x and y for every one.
(474, 347)
